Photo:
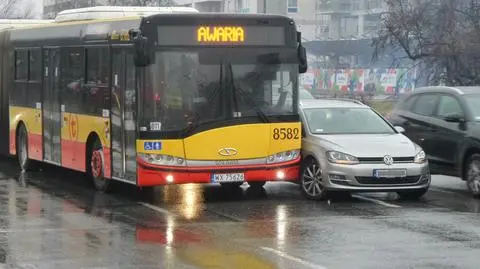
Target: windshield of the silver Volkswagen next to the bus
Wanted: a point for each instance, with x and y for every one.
(346, 121)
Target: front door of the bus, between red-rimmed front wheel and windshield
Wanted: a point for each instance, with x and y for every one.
(123, 113)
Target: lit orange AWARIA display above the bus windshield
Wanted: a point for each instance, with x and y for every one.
(221, 35)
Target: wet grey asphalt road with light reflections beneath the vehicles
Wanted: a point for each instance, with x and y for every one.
(54, 219)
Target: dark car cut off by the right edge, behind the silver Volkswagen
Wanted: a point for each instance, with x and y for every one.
(445, 122)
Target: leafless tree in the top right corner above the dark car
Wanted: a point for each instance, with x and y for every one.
(442, 35)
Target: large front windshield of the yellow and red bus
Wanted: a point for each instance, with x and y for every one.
(186, 88)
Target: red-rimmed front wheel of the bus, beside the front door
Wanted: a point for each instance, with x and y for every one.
(97, 166)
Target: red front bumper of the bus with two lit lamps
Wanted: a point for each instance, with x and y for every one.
(149, 175)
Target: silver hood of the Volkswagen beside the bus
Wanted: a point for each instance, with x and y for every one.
(369, 145)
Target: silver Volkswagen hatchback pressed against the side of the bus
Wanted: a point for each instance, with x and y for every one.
(348, 147)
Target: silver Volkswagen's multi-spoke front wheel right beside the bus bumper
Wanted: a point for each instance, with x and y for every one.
(311, 180)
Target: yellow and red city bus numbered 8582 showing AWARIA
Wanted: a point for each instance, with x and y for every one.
(171, 96)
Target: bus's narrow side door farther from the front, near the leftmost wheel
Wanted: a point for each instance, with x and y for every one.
(52, 111)
